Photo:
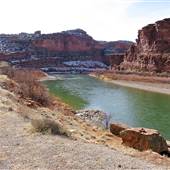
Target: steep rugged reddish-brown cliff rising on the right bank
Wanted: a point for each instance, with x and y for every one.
(151, 53)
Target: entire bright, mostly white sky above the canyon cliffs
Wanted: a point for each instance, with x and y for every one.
(103, 19)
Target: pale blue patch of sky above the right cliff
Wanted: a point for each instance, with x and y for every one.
(147, 11)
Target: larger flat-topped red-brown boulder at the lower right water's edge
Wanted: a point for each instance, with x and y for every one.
(144, 139)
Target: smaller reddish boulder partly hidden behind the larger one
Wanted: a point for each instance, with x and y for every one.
(116, 128)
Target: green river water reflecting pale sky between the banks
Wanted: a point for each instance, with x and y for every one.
(134, 107)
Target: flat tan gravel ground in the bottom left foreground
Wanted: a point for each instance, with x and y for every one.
(20, 148)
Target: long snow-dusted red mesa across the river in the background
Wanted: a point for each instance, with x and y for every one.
(51, 50)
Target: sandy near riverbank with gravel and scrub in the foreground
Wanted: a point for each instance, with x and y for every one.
(77, 132)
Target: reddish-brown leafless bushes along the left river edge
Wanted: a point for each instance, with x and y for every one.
(29, 86)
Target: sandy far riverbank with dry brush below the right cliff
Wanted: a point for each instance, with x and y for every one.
(155, 85)
